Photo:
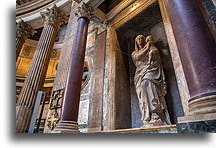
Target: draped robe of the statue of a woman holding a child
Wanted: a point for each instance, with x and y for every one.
(150, 87)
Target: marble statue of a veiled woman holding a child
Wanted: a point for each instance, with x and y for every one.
(150, 83)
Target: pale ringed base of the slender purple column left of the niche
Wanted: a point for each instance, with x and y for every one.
(66, 127)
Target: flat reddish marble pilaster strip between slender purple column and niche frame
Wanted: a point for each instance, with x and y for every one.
(95, 109)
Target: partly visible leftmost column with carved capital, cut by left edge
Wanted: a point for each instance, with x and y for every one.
(23, 31)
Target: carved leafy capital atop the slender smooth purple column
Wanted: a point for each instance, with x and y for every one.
(84, 11)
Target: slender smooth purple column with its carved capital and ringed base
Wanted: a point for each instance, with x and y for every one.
(69, 115)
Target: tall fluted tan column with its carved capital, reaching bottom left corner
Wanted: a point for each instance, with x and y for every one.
(52, 18)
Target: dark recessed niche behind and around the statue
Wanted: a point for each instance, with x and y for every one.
(149, 22)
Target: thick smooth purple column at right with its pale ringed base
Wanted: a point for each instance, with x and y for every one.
(197, 50)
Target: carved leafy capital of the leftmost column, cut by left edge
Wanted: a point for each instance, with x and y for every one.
(23, 30)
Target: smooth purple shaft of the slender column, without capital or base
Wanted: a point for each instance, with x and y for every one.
(73, 87)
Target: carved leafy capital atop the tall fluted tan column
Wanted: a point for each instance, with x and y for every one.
(54, 15)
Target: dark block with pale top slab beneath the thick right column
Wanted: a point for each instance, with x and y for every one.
(203, 123)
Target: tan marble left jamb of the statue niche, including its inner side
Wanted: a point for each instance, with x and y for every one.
(116, 106)
